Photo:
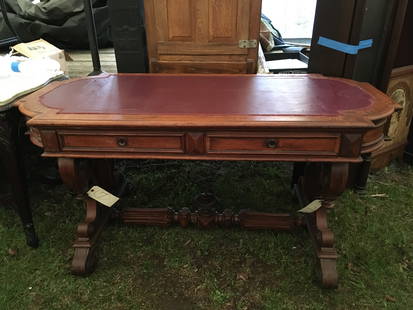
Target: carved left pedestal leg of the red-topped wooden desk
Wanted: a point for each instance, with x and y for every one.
(78, 178)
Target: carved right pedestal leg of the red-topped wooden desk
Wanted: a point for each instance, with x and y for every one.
(326, 182)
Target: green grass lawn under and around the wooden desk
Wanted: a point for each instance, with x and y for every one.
(154, 268)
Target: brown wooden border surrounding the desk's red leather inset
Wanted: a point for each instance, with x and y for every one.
(360, 118)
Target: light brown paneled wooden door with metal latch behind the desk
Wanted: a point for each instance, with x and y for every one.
(202, 36)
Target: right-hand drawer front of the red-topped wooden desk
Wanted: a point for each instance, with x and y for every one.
(267, 143)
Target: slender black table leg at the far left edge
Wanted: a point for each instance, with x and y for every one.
(10, 157)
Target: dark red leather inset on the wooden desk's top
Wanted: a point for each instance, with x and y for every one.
(208, 95)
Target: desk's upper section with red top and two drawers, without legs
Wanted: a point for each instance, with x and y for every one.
(122, 122)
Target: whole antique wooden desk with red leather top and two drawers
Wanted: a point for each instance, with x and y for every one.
(323, 123)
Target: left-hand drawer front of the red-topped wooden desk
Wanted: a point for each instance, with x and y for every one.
(122, 142)
